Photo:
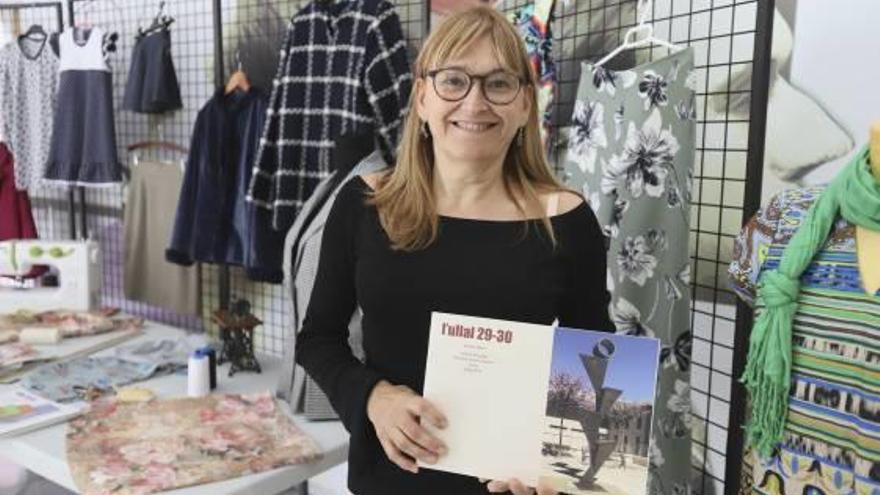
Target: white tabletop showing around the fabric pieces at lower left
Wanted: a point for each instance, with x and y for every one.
(43, 451)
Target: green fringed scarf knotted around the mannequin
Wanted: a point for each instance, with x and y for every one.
(854, 195)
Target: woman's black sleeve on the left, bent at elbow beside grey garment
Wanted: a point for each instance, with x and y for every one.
(322, 346)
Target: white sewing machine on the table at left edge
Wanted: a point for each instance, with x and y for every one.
(78, 267)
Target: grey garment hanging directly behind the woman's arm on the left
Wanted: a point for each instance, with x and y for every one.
(300, 271)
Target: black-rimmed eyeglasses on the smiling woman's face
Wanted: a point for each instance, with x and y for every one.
(499, 87)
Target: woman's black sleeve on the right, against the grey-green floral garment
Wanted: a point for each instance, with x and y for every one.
(585, 304)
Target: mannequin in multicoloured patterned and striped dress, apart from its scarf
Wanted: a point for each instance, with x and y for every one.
(830, 438)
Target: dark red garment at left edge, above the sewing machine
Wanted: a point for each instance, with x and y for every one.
(16, 220)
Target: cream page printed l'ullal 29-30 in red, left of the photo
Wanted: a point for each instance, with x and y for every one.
(501, 377)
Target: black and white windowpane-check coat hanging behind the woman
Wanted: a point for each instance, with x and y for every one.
(343, 68)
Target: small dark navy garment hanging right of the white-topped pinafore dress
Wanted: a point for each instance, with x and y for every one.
(152, 81)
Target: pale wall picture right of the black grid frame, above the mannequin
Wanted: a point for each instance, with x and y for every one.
(820, 111)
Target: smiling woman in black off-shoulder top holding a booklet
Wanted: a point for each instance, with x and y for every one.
(469, 221)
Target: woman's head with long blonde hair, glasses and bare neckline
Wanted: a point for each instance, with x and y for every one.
(455, 131)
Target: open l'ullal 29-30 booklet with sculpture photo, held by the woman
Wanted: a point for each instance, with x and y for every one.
(568, 407)
